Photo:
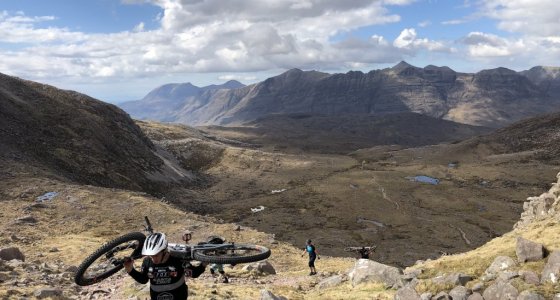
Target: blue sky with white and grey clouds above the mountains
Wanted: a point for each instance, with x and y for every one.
(119, 50)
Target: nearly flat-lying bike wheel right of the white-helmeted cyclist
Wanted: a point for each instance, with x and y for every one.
(232, 254)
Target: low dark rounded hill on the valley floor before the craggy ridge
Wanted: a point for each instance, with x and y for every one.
(346, 133)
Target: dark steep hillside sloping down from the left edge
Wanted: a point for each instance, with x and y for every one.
(70, 135)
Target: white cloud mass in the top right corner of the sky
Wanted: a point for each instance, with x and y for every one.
(534, 29)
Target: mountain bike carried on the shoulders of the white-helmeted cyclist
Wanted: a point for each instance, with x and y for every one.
(110, 257)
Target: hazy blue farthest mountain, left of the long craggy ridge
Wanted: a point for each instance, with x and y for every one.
(162, 102)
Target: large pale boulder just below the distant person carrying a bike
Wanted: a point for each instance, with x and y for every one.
(368, 270)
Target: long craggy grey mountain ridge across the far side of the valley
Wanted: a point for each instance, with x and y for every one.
(491, 98)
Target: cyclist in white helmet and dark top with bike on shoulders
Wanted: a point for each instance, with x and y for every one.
(165, 272)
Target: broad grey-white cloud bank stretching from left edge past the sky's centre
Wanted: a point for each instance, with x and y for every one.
(204, 36)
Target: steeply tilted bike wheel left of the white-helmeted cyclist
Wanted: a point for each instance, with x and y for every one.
(108, 259)
